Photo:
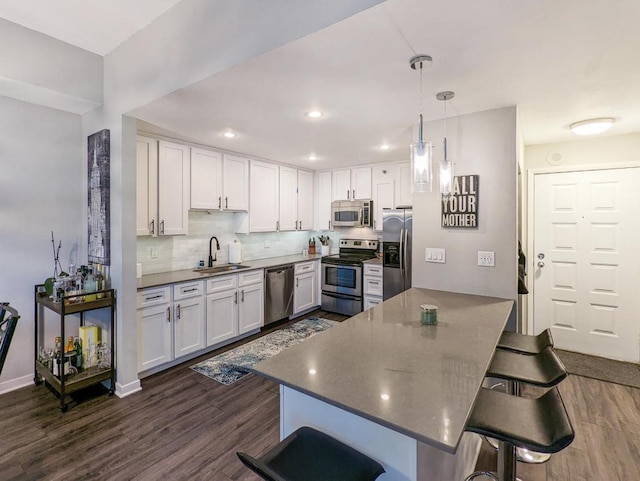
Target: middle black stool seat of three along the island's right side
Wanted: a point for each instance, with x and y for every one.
(544, 369)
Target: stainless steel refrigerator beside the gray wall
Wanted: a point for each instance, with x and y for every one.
(397, 225)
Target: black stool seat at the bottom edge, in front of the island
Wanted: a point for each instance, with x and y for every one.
(309, 455)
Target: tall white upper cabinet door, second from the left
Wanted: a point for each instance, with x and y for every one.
(173, 188)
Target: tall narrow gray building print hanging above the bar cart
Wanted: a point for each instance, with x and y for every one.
(99, 152)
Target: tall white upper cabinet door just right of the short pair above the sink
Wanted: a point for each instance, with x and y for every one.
(264, 197)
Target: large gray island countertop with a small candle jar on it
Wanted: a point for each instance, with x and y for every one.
(384, 365)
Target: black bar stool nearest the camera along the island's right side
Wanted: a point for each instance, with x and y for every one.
(540, 425)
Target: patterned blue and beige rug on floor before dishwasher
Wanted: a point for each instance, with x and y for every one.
(228, 367)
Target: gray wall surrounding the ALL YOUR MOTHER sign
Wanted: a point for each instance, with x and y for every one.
(483, 143)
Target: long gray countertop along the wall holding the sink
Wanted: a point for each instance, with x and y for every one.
(163, 278)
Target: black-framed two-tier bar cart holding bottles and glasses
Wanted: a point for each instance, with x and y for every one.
(62, 382)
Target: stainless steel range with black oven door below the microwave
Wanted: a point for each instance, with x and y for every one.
(342, 276)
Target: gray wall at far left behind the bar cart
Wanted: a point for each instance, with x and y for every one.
(41, 190)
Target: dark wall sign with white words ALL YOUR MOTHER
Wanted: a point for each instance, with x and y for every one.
(460, 208)
